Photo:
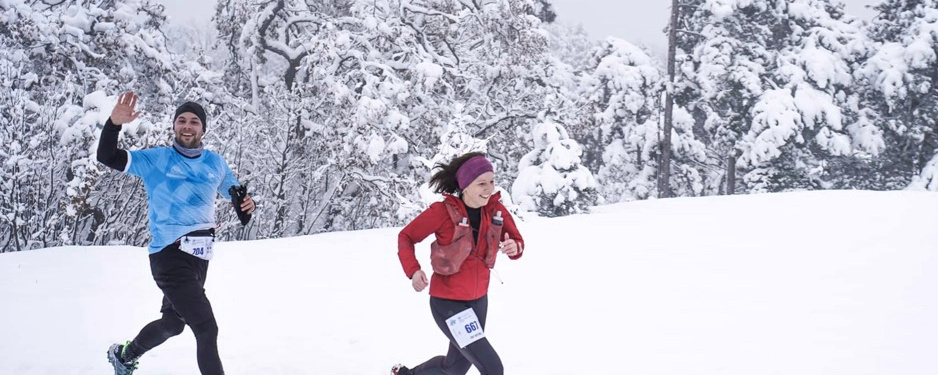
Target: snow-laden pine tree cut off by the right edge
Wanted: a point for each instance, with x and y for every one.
(901, 95)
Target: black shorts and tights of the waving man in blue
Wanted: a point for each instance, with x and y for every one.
(181, 277)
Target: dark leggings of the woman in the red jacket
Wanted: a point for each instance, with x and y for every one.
(457, 361)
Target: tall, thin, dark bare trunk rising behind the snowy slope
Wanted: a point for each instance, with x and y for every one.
(664, 163)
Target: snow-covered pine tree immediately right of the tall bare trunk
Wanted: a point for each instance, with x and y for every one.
(721, 77)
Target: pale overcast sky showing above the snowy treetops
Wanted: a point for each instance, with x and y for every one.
(638, 21)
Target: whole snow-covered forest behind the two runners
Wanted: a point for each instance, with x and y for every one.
(335, 112)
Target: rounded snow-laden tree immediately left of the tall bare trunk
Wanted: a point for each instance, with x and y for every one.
(618, 124)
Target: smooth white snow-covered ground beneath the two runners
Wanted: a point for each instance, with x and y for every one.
(815, 283)
